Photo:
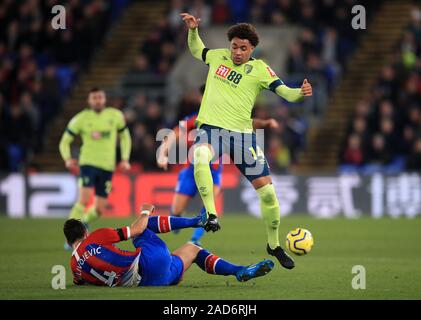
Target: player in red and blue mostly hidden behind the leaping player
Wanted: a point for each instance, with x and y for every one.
(186, 187)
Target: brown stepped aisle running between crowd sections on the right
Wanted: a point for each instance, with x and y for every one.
(375, 48)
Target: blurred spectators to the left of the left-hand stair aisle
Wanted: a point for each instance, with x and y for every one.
(39, 65)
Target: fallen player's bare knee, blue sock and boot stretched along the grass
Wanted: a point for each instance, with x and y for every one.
(212, 264)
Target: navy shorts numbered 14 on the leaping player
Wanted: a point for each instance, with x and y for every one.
(241, 147)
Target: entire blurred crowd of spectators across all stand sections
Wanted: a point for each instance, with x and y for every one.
(39, 66)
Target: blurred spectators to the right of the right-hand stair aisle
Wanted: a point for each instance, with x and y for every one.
(384, 134)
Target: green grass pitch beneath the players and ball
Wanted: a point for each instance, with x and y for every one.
(389, 249)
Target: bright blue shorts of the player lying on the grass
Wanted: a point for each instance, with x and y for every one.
(157, 266)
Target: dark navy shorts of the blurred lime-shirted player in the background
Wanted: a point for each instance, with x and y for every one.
(93, 177)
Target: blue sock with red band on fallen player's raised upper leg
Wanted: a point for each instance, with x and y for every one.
(163, 224)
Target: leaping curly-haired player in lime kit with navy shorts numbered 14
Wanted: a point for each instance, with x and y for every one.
(234, 81)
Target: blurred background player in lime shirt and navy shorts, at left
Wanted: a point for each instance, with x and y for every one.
(98, 127)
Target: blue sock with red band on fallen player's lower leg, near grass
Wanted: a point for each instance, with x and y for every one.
(214, 265)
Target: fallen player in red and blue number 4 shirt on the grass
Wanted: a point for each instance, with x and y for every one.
(97, 261)
